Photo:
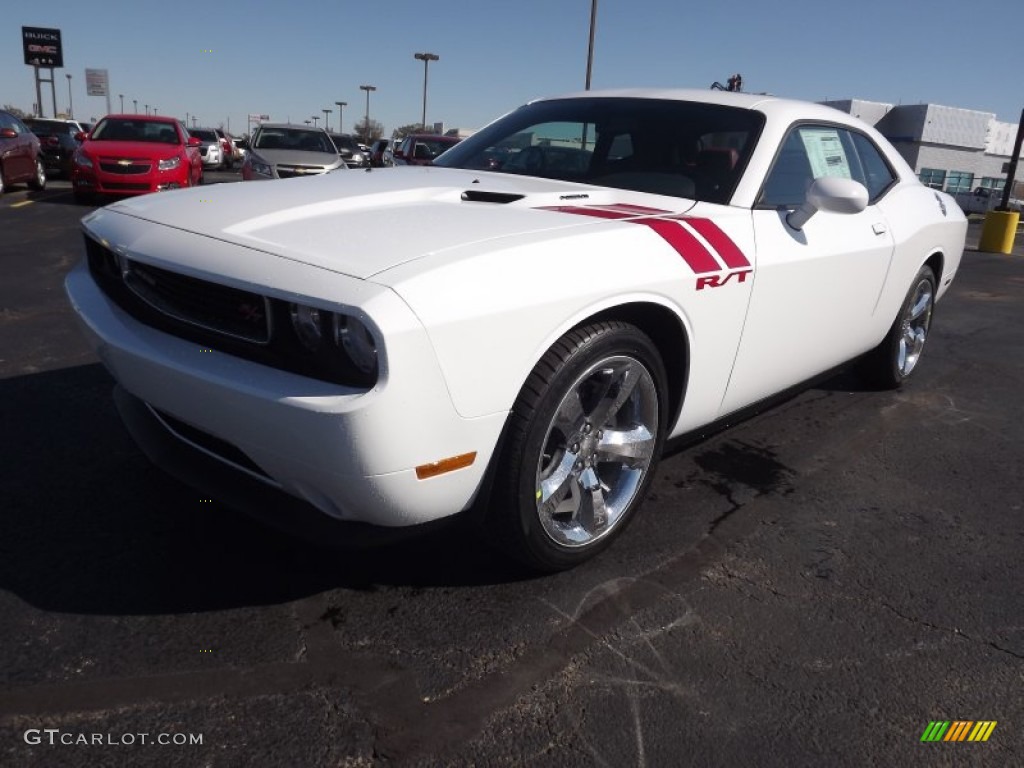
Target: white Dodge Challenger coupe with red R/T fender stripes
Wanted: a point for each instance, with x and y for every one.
(520, 327)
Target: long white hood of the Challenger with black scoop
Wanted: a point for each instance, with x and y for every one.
(362, 224)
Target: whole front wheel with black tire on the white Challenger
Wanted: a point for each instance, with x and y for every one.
(583, 444)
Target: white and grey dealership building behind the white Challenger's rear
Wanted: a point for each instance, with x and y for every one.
(949, 148)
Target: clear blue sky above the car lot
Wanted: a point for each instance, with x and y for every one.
(291, 60)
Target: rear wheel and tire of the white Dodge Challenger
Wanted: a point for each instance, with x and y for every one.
(895, 360)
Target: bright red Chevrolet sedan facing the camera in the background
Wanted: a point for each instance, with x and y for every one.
(136, 155)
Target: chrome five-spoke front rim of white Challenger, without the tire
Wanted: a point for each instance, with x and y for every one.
(598, 451)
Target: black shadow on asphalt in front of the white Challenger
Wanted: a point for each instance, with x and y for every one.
(92, 527)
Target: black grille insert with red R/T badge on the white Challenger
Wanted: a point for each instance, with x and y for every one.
(228, 311)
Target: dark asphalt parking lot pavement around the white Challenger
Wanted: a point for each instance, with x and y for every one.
(814, 586)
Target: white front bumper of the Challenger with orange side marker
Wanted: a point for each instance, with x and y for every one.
(349, 453)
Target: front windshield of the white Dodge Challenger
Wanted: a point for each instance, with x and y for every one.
(680, 149)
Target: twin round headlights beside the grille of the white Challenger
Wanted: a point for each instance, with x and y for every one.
(323, 335)
